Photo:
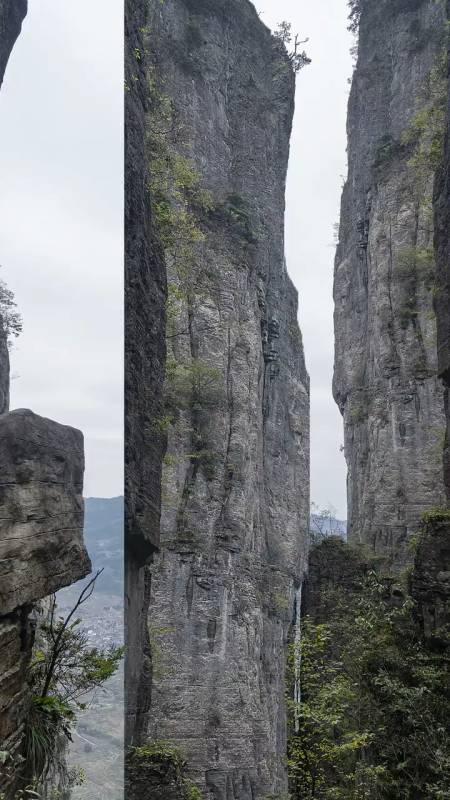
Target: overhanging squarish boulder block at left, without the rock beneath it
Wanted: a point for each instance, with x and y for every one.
(41, 541)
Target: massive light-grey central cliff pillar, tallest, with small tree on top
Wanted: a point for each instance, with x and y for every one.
(236, 476)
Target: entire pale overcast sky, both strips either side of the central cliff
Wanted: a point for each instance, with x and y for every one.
(61, 237)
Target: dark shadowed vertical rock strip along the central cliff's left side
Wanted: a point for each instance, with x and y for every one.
(145, 292)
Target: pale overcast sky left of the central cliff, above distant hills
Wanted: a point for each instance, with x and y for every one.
(61, 237)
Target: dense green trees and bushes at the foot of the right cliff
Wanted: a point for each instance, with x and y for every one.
(375, 708)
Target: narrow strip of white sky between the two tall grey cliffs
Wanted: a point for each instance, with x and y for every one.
(317, 166)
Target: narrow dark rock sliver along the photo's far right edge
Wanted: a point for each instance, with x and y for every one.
(442, 295)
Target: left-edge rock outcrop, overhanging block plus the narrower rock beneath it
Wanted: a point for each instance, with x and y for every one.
(41, 547)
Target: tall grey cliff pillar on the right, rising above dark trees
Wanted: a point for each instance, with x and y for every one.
(386, 372)
